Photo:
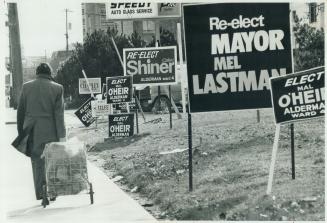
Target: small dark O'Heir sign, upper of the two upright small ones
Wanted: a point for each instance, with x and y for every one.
(119, 89)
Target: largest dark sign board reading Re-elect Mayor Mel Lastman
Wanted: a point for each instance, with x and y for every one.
(232, 50)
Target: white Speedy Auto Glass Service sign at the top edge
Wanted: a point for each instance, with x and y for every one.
(141, 10)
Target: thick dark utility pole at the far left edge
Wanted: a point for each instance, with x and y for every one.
(15, 52)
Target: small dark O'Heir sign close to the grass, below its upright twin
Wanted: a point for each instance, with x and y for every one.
(121, 125)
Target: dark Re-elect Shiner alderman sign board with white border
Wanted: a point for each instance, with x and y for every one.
(152, 65)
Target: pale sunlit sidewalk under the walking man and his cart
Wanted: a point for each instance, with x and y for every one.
(110, 202)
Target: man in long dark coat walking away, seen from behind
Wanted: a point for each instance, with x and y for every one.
(41, 108)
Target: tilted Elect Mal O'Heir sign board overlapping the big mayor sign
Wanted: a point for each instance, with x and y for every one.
(299, 96)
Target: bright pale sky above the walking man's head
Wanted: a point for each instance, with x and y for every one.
(43, 25)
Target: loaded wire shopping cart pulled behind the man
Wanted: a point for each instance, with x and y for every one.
(66, 170)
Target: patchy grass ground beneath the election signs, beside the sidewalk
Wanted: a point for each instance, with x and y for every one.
(231, 158)
